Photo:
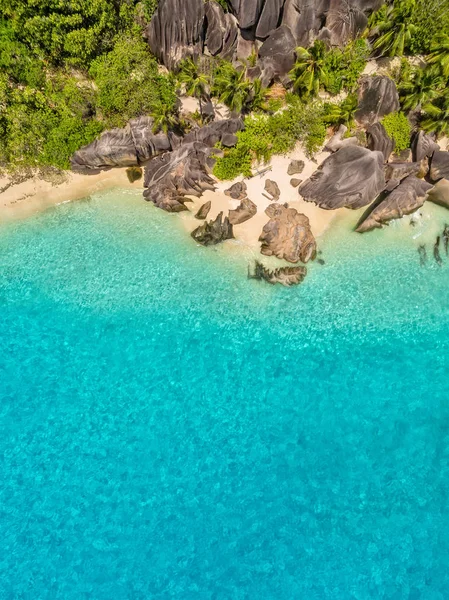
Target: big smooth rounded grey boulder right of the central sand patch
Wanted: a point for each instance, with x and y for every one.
(352, 177)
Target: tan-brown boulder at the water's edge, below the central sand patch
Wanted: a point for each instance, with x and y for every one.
(287, 235)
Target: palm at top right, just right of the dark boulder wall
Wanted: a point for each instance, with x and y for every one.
(393, 29)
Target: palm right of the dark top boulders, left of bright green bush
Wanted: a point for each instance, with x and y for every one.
(309, 71)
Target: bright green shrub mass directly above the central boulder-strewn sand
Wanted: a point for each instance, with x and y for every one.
(269, 134)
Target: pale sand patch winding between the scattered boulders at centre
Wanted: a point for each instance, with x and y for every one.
(248, 233)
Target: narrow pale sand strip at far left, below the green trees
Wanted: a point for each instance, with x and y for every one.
(20, 200)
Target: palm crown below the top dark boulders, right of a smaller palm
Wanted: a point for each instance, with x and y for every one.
(232, 87)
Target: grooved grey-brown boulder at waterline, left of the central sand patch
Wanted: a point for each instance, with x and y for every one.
(171, 177)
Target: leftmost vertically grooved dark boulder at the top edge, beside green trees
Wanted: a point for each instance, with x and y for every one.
(176, 31)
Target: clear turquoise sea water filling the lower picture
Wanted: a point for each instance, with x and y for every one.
(170, 429)
